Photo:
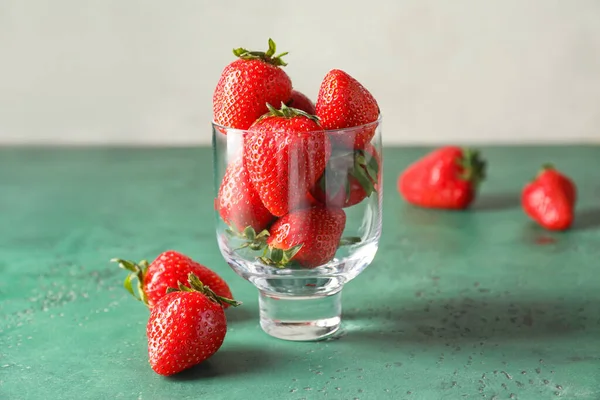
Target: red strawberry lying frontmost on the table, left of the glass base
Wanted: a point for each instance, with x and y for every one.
(186, 327)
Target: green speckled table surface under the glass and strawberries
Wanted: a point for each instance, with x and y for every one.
(474, 304)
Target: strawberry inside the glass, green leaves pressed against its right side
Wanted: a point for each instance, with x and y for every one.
(349, 178)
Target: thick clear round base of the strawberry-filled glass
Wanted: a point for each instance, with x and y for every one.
(300, 318)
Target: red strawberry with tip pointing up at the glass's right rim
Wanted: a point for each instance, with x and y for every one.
(344, 103)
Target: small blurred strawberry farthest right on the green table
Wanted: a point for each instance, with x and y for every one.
(550, 199)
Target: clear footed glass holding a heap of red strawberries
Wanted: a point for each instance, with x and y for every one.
(300, 260)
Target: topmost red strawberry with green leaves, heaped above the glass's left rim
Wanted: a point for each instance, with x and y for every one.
(247, 84)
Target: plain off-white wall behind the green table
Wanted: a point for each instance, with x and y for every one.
(143, 71)
